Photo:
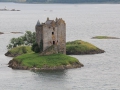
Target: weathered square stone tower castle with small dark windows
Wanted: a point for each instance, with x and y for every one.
(52, 33)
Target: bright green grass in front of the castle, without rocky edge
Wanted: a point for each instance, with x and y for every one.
(35, 60)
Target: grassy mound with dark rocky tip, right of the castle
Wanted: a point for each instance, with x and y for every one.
(80, 47)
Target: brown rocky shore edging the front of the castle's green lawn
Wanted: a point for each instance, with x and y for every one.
(16, 65)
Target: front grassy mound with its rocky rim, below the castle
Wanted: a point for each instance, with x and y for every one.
(49, 62)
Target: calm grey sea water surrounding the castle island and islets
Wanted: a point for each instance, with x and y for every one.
(84, 21)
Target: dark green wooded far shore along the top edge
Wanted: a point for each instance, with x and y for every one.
(64, 1)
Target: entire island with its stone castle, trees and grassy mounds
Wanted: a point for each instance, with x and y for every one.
(49, 50)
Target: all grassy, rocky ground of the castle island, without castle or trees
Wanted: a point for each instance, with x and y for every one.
(25, 59)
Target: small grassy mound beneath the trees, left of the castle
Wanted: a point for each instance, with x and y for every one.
(20, 50)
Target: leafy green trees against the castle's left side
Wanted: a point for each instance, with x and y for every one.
(27, 39)
